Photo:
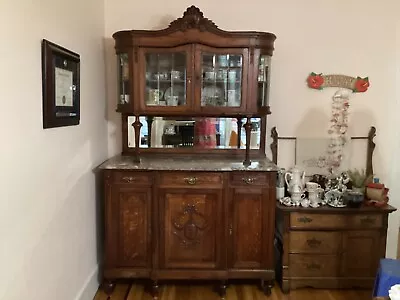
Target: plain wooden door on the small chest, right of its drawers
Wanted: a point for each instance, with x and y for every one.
(361, 253)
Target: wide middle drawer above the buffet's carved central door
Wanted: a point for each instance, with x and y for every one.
(191, 179)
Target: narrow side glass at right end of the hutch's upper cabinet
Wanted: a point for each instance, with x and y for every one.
(264, 70)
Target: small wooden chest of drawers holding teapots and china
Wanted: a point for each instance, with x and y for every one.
(329, 247)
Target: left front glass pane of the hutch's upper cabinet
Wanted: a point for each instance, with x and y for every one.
(166, 75)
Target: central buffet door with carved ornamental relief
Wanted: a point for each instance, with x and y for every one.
(191, 234)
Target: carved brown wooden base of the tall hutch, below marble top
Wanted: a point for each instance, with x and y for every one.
(189, 225)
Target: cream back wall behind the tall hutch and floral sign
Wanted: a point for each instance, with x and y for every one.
(353, 37)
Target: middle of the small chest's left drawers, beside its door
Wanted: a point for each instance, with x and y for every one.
(314, 242)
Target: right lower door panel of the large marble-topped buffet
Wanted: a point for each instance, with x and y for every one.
(246, 228)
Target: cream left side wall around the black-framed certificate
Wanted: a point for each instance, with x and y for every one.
(48, 247)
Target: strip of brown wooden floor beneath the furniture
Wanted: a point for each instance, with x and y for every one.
(126, 291)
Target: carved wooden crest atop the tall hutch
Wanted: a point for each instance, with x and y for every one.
(193, 18)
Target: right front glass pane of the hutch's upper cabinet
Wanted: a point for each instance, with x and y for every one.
(221, 79)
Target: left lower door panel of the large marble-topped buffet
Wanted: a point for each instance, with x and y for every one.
(129, 227)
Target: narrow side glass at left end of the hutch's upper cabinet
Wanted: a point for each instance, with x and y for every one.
(123, 79)
